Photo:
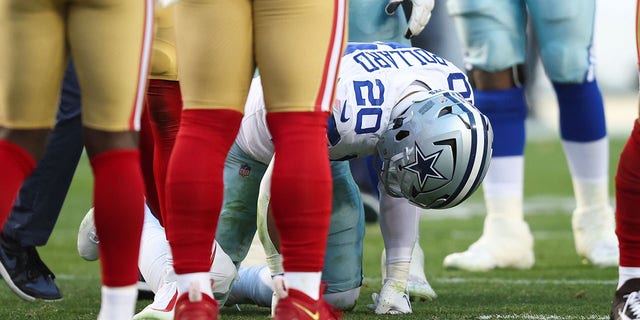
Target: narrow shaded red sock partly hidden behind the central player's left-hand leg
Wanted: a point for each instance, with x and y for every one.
(165, 106)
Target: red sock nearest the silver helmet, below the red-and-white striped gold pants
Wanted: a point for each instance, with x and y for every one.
(301, 188)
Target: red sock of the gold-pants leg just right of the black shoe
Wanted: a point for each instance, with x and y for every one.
(118, 198)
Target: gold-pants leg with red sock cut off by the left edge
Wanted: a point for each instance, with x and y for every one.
(32, 44)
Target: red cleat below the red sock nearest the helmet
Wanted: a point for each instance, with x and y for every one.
(299, 306)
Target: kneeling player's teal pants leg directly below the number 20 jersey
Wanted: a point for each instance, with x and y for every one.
(343, 260)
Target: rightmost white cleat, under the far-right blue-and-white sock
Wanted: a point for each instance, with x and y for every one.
(594, 235)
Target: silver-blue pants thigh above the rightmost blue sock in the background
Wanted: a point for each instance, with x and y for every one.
(565, 36)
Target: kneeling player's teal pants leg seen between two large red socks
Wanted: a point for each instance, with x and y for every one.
(237, 222)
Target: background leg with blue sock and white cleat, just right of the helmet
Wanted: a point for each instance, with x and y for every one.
(493, 33)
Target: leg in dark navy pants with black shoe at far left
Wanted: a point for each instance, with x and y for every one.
(40, 200)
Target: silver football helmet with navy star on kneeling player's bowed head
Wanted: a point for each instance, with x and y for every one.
(436, 150)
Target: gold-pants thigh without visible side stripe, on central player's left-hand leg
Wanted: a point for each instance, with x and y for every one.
(215, 41)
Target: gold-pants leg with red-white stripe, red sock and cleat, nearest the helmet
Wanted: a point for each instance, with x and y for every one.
(298, 90)
